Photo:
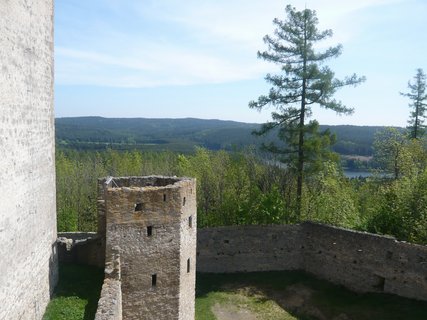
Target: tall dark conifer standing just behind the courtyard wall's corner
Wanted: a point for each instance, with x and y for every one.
(303, 82)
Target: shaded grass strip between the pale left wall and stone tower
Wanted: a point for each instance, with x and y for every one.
(77, 294)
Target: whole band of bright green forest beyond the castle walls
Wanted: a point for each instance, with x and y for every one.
(241, 187)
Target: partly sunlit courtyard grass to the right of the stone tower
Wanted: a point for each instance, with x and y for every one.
(304, 297)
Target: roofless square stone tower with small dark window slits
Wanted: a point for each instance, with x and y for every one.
(151, 222)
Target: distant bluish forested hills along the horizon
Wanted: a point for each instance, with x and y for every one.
(97, 133)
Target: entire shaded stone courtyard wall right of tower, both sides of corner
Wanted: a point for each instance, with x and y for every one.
(360, 261)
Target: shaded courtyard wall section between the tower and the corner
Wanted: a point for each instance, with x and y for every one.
(249, 248)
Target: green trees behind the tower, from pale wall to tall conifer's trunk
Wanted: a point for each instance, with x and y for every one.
(233, 188)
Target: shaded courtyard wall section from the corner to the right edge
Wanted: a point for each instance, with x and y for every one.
(365, 262)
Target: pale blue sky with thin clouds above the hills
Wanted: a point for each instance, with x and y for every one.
(198, 58)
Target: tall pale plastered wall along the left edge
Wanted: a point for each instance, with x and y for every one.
(28, 268)
